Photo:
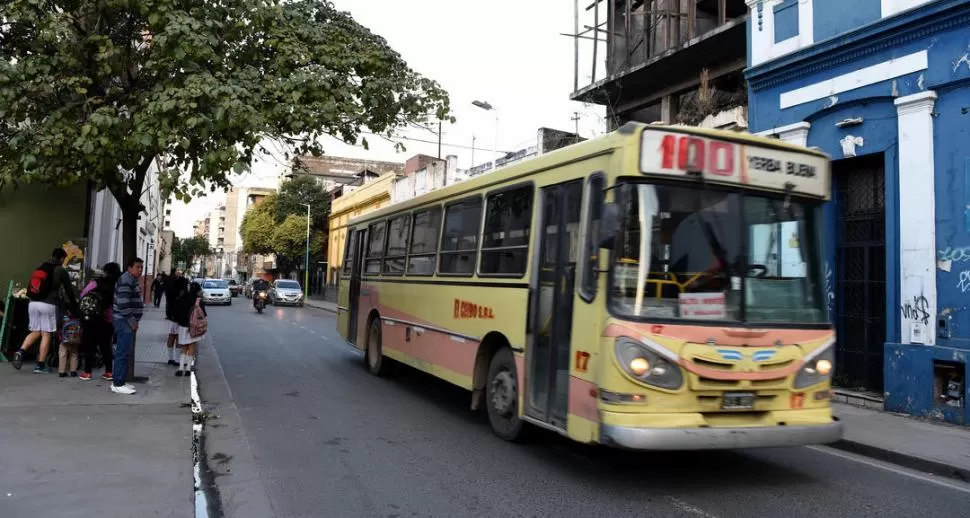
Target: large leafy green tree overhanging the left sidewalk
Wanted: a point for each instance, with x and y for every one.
(103, 91)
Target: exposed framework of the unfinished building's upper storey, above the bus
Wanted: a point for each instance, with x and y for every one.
(632, 32)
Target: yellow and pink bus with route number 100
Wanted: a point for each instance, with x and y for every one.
(657, 288)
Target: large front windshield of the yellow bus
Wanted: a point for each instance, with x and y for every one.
(703, 254)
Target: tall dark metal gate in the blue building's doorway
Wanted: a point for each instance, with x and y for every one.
(860, 271)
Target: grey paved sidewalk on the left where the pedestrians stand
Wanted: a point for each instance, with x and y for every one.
(73, 448)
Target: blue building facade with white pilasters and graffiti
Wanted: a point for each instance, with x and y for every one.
(883, 87)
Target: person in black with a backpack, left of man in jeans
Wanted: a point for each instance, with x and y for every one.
(97, 327)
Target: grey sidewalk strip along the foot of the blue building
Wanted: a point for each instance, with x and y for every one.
(940, 449)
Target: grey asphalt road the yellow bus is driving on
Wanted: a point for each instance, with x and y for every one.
(331, 440)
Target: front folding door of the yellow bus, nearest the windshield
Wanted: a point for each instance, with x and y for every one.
(552, 303)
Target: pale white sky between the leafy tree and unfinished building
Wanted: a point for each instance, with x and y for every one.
(508, 53)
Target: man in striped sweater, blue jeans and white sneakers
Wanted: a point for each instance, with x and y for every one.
(127, 311)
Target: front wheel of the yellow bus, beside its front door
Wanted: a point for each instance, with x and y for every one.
(502, 397)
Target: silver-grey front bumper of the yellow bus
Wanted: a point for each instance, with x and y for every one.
(719, 438)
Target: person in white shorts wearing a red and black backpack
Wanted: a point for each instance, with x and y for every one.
(49, 285)
